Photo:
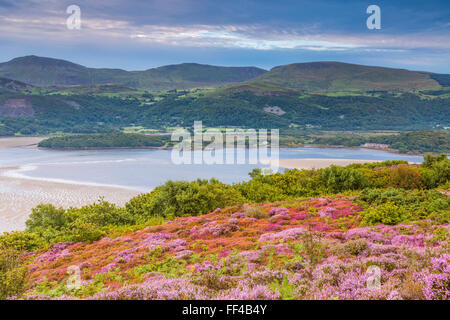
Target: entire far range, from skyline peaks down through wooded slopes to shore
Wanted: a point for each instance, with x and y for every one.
(44, 96)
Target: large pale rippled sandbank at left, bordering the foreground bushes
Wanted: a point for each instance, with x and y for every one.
(18, 196)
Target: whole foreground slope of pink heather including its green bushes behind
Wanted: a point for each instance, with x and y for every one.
(356, 232)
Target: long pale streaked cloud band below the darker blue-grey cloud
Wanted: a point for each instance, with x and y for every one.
(257, 37)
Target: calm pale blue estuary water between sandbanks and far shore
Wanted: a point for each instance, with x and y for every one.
(145, 169)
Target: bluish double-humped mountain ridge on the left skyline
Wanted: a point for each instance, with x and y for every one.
(42, 71)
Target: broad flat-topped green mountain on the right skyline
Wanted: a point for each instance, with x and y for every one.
(338, 76)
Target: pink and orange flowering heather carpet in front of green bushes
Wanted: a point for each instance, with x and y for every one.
(316, 248)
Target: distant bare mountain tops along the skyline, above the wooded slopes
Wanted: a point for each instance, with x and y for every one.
(312, 76)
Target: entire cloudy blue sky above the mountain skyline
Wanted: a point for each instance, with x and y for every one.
(138, 34)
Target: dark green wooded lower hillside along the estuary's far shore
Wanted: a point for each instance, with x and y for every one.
(96, 113)
